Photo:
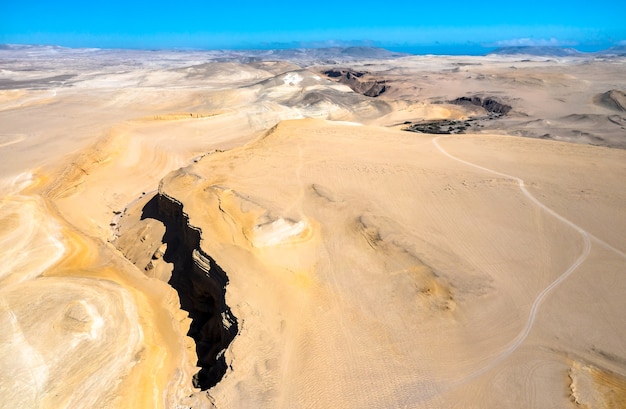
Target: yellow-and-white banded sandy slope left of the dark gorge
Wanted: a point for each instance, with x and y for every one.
(85, 328)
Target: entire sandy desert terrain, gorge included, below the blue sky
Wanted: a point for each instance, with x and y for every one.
(260, 230)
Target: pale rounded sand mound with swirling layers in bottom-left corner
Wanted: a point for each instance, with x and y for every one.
(78, 309)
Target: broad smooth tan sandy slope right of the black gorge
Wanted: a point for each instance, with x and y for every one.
(414, 280)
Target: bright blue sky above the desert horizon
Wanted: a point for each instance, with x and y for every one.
(263, 24)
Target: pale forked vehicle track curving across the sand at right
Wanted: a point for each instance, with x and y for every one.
(587, 237)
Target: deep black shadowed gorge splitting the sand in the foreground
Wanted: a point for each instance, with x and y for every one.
(201, 286)
